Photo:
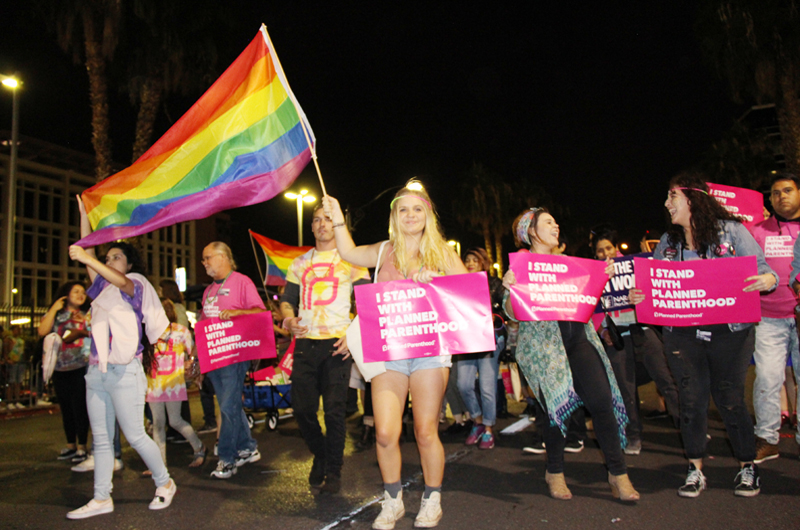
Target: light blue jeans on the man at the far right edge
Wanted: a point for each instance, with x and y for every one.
(776, 340)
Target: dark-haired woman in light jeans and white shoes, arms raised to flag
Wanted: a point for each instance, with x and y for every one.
(125, 312)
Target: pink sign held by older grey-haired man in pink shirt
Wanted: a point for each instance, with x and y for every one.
(243, 338)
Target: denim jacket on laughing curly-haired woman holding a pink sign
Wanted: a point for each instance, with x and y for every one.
(734, 241)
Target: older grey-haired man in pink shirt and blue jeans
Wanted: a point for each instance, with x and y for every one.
(230, 295)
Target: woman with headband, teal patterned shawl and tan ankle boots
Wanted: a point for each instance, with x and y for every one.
(566, 365)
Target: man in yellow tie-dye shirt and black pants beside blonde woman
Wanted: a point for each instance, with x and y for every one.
(316, 306)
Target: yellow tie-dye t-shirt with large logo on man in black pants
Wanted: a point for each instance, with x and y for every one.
(326, 285)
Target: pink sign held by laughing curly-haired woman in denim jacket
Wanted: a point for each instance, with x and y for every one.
(697, 292)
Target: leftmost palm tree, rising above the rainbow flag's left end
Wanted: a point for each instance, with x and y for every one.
(89, 30)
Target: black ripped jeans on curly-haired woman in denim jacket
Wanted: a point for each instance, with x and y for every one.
(716, 367)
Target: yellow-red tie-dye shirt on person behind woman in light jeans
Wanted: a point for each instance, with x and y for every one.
(168, 384)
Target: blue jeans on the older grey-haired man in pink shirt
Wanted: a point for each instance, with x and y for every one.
(234, 431)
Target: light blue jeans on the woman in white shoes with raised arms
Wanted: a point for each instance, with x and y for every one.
(118, 395)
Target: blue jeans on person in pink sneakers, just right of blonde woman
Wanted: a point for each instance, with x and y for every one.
(487, 368)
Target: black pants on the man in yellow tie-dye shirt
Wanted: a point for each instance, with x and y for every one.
(316, 372)
